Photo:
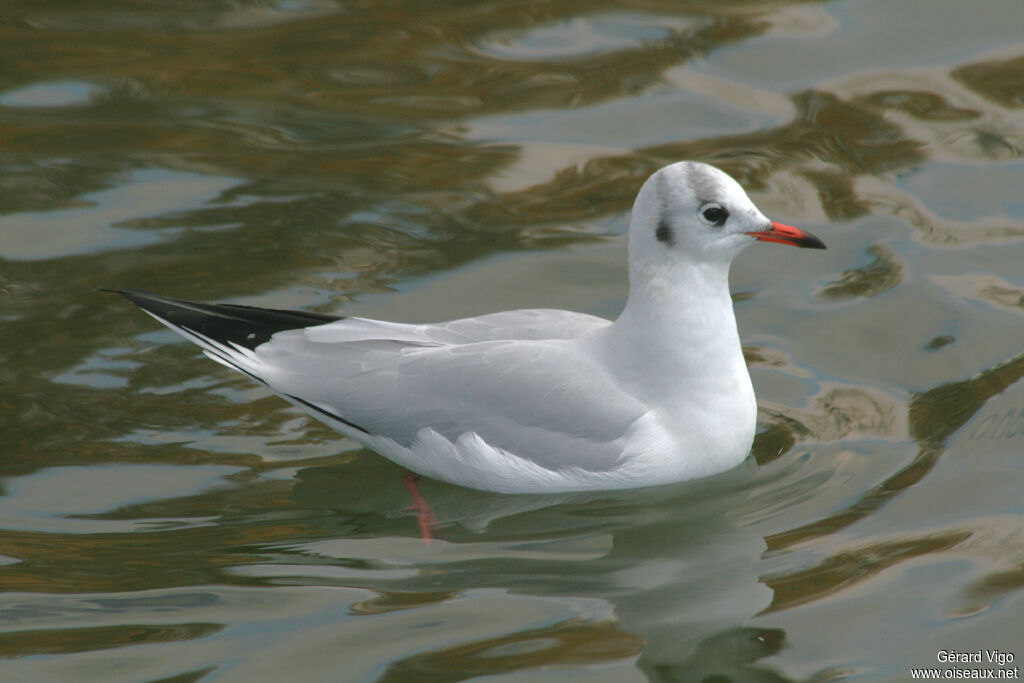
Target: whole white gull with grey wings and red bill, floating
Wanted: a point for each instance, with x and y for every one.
(536, 401)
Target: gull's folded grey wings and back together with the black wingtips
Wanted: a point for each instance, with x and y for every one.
(517, 382)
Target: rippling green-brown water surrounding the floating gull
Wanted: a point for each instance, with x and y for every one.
(162, 520)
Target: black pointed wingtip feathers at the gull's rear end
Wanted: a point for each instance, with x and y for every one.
(225, 323)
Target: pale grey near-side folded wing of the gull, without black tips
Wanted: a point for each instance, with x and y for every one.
(544, 401)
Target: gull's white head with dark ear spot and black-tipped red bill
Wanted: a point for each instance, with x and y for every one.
(694, 214)
